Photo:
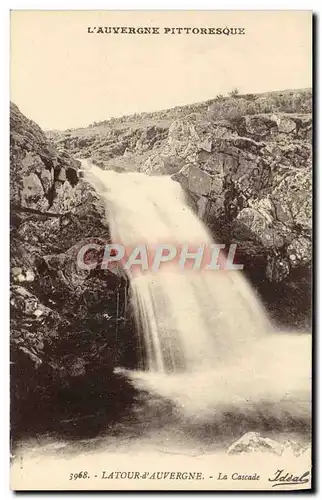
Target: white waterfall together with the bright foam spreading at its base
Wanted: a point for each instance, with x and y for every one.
(208, 345)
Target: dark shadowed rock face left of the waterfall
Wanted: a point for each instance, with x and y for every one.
(67, 324)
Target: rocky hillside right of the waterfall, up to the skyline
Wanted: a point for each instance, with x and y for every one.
(246, 164)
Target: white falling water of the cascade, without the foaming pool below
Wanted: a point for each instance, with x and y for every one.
(192, 319)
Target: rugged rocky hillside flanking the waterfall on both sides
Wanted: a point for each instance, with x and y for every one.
(245, 163)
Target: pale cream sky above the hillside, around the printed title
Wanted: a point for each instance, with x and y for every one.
(64, 77)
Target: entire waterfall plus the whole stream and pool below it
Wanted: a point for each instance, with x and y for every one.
(212, 366)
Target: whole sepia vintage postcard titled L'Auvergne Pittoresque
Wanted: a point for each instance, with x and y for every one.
(161, 220)
